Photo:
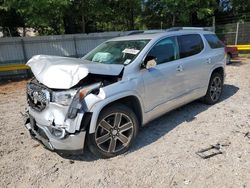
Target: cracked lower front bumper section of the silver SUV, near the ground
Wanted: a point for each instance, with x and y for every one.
(70, 143)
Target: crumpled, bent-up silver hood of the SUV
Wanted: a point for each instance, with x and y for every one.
(63, 73)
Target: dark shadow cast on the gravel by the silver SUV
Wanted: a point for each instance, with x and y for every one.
(164, 124)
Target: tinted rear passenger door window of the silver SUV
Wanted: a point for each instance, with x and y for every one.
(190, 45)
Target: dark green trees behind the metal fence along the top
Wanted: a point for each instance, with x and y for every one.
(76, 16)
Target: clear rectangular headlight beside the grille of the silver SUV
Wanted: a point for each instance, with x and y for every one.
(63, 97)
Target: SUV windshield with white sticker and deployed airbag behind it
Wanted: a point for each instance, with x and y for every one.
(116, 52)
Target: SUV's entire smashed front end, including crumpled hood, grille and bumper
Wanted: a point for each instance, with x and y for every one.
(60, 96)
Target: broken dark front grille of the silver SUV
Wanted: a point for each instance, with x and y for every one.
(38, 96)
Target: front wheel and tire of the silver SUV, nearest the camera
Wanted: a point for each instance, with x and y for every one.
(116, 129)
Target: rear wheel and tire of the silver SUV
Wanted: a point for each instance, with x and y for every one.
(214, 90)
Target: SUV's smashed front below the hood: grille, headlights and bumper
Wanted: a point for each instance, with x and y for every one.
(58, 118)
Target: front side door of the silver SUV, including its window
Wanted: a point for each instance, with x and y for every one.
(164, 82)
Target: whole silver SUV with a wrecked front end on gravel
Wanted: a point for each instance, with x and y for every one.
(103, 98)
